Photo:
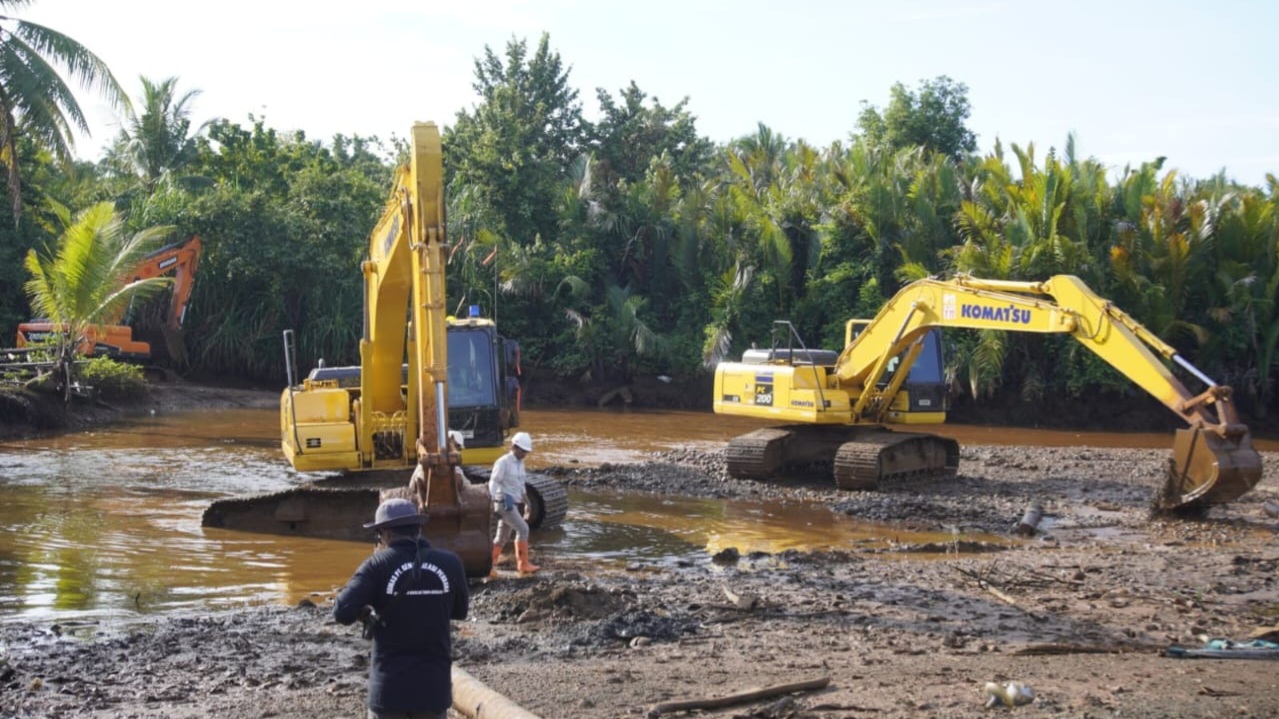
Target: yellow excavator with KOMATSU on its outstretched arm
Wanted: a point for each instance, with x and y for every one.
(841, 402)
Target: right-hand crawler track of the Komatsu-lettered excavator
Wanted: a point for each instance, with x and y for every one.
(884, 456)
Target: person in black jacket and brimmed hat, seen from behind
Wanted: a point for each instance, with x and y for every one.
(406, 594)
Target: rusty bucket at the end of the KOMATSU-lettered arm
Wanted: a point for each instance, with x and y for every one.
(1208, 469)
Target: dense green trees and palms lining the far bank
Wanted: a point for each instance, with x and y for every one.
(632, 246)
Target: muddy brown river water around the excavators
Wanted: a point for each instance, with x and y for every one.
(108, 523)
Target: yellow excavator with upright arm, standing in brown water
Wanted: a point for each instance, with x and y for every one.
(391, 415)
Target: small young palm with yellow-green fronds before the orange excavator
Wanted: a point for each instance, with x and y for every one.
(86, 280)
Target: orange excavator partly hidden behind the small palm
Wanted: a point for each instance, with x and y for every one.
(181, 259)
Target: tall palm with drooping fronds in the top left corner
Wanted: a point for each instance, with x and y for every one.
(34, 99)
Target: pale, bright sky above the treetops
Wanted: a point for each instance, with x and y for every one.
(1193, 81)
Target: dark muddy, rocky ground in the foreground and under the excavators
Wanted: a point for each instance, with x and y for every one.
(1083, 613)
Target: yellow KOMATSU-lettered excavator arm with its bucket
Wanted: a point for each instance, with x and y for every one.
(1213, 459)
